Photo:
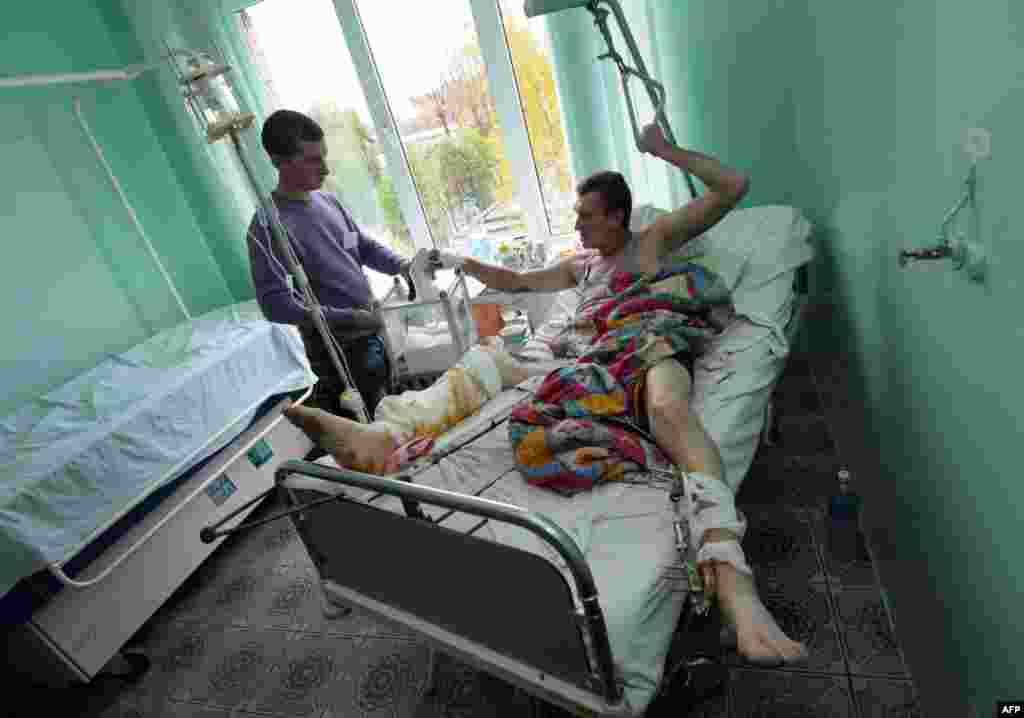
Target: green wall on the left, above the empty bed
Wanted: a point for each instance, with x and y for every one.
(84, 284)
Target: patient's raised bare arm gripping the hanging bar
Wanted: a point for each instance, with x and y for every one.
(726, 188)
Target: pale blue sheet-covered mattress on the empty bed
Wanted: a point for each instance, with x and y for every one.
(76, 460)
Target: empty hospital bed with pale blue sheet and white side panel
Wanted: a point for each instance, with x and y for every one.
(106, 482)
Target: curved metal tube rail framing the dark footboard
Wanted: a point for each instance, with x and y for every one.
(541, 526)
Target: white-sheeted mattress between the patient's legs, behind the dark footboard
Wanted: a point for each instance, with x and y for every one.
(624, 531)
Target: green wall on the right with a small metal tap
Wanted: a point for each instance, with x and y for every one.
(855, 113)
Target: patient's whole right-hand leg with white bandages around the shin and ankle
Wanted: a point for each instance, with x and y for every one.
(715, 520)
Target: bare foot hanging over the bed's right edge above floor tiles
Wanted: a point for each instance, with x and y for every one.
(758, 638)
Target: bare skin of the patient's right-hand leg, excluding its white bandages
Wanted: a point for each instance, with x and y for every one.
(680, 434)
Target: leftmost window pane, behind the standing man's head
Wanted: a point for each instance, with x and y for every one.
(298, 49)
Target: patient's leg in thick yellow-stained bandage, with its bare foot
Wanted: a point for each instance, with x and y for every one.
(482, 373)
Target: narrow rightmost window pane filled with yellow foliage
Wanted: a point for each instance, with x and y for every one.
(532, 62)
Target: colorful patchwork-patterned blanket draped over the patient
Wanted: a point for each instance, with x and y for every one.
(585, 425)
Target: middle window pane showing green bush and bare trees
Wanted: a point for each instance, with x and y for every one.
(431, 64)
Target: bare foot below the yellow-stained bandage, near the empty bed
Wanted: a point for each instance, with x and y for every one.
(366, 448)
